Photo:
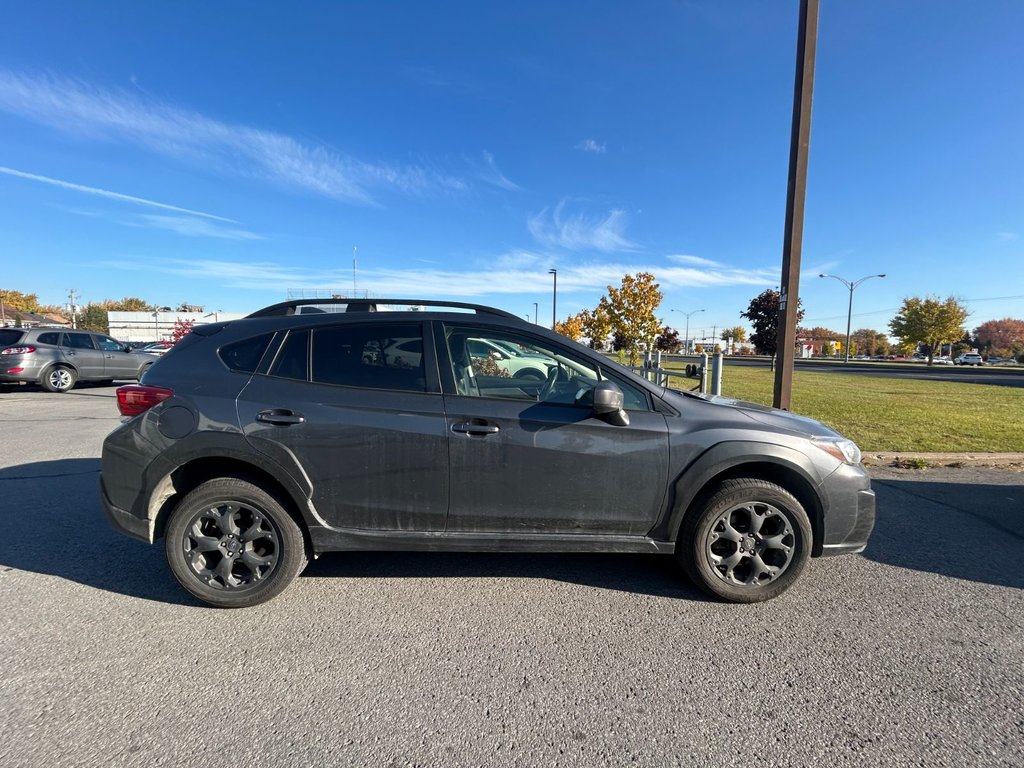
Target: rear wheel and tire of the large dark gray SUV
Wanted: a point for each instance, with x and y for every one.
(233, 545)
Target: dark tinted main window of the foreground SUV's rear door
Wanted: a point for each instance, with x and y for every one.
(378, 357)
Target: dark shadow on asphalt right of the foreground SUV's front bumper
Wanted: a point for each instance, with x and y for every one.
(960, 530)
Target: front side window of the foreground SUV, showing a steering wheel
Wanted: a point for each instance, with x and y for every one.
(508, 365)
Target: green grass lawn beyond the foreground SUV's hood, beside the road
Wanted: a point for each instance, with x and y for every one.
(881, 414)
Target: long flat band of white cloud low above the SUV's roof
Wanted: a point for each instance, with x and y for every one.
(501, 277)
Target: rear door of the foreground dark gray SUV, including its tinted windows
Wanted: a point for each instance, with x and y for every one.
(359, 406)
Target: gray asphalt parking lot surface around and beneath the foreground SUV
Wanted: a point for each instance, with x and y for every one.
(912, 654)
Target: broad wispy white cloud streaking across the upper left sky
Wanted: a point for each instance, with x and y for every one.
(86, 111)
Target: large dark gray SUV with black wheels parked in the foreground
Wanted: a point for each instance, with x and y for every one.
(253, 446)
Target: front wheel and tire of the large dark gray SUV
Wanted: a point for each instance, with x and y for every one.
(748, 542)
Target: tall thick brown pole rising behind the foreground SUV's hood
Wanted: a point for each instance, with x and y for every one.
(800, 142)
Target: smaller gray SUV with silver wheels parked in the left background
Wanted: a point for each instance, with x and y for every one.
(58, 360)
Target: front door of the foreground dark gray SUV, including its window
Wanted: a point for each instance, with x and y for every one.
(531, 457)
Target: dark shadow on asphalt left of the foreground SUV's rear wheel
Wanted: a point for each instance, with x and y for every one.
(54, 524)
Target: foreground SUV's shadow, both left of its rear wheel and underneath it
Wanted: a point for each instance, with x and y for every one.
(55, 525)
